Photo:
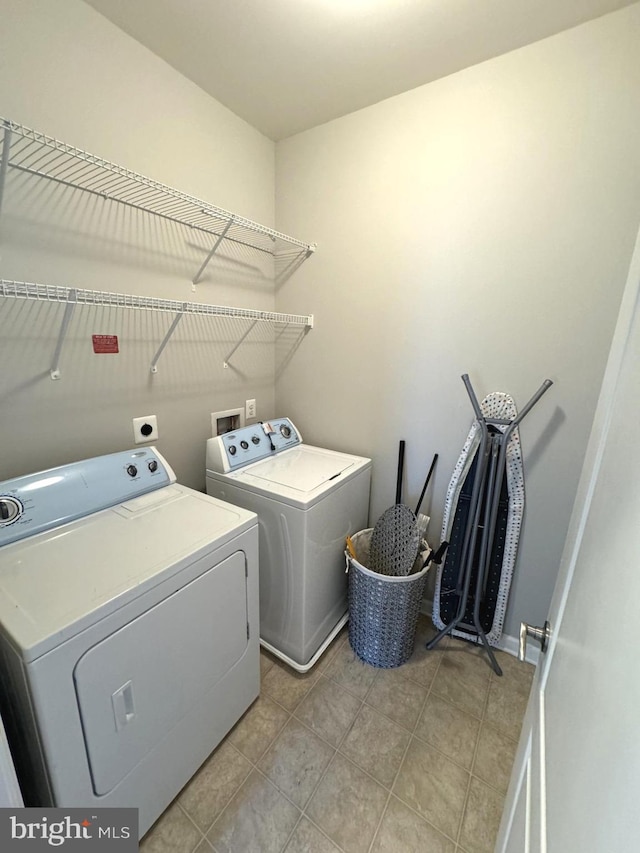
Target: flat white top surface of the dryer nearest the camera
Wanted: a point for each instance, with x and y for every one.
(57, 583)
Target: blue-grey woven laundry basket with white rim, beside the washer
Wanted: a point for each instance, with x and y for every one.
(383, 610)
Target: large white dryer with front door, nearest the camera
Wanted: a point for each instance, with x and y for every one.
(128, 630)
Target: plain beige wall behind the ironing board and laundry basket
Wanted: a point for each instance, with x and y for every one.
(481, 224)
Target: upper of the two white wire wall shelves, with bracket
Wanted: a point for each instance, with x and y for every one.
(34, 153)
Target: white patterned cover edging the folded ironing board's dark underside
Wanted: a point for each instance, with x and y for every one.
(501, 406)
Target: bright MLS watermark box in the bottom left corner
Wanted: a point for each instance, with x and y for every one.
(105, 830)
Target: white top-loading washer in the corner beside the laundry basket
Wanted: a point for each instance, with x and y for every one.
(308, 500)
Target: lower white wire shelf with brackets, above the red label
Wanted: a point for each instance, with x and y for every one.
(72, 297)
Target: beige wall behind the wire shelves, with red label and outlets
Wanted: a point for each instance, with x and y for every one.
(66, 71)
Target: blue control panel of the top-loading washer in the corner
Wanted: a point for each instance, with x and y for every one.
(234, 450)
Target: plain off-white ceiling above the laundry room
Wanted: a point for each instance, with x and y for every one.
(287, 65)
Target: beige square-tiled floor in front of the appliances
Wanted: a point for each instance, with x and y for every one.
(357, 759)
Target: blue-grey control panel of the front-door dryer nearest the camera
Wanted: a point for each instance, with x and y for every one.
(37, 502)
